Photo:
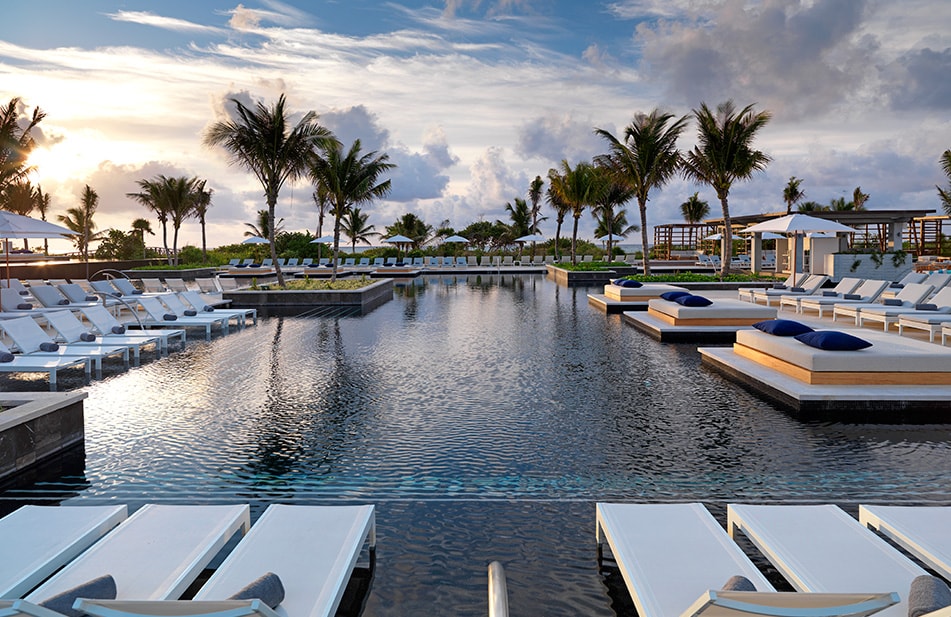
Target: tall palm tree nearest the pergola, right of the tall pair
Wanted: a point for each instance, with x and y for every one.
(724, 154)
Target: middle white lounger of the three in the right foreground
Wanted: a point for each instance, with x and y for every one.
(823, 549)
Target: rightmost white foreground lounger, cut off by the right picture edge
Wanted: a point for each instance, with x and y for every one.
(925, 532)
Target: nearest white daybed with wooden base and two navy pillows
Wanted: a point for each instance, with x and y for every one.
(822, 357)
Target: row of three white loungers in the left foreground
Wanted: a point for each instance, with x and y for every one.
(306, 555)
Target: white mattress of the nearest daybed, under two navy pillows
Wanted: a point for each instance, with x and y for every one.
(888, 353)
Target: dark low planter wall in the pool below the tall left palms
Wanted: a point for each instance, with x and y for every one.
(270, 302)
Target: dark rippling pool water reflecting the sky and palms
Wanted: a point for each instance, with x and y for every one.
(484, 416)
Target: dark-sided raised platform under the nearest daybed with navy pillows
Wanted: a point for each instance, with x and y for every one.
(865, 402)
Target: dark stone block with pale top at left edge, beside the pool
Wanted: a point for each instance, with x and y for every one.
(35, 426)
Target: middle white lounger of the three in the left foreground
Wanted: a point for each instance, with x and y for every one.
(155, 554)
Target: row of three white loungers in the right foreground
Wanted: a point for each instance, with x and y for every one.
(675, 558)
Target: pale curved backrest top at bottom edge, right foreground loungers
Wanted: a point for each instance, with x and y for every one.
(790, 604)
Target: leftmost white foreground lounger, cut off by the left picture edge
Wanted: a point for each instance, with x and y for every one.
(38, 540)
